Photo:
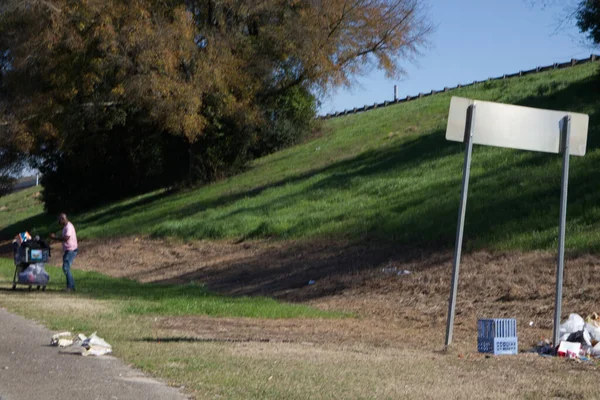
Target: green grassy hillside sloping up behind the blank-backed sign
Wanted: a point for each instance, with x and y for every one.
(388, 174)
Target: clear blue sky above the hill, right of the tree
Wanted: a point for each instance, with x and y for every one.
(474, 40)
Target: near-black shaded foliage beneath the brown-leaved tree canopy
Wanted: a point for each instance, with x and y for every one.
(111, 164)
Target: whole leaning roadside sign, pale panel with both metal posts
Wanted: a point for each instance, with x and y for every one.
(524, 128)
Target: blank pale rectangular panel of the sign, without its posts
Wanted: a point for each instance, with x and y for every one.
(516, 127)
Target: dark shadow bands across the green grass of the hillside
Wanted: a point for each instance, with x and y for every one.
(411, 216)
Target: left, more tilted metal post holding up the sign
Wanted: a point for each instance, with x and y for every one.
(469, 127)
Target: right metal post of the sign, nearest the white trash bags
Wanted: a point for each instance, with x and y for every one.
(562, 223)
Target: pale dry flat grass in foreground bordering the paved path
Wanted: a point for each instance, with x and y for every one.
(316, 364)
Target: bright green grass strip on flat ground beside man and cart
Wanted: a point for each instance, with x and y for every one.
(136, 298)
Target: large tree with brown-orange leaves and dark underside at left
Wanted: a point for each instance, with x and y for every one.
(88, 87)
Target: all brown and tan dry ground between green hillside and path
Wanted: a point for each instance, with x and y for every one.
(393, 349)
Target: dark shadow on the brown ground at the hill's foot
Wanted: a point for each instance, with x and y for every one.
(311, 270)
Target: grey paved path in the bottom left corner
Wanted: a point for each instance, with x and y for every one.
(31, 369)
